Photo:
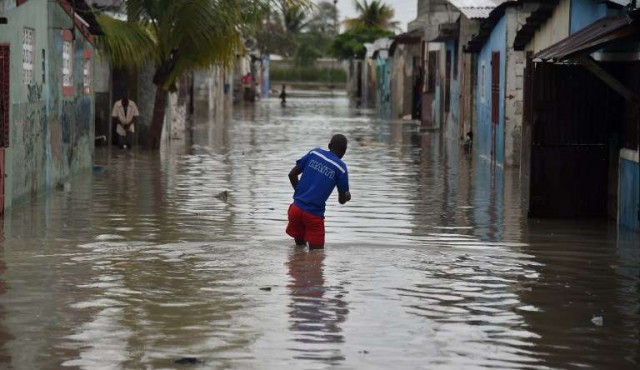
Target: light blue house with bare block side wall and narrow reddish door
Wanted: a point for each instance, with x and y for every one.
(500, 84)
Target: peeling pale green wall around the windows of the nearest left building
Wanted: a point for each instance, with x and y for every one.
(51, 136)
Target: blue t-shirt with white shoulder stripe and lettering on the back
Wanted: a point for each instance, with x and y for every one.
(321, 172)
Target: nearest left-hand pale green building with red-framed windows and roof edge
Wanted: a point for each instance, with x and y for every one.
(47, 60)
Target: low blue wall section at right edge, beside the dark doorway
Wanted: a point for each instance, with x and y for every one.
(628, 195)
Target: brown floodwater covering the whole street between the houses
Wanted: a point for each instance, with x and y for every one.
(179, 260)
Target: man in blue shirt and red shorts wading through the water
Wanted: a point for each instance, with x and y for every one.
(321, 172)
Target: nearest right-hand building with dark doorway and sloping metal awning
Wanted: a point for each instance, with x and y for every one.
(582, 98)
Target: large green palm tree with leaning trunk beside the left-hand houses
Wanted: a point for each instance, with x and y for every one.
(177, 37)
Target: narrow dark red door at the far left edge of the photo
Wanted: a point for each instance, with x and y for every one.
(4, 115)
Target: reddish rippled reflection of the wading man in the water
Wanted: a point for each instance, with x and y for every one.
(316, 311)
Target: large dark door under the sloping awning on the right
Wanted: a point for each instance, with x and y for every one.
(572, 116)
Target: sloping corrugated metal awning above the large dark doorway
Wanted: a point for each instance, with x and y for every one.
(589, 39)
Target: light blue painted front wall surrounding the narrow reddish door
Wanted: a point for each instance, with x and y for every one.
(482, 135)
